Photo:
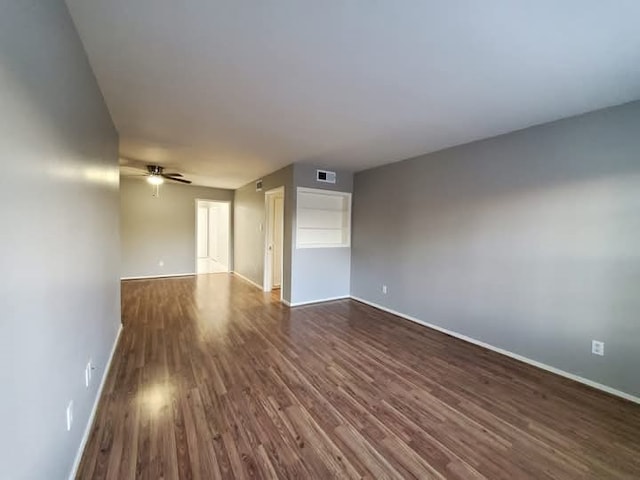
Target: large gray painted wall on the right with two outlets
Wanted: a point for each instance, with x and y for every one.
(529, 242)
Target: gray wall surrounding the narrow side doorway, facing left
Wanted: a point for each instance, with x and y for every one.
(249, 220)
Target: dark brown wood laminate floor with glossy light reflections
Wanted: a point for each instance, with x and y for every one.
(214, 379)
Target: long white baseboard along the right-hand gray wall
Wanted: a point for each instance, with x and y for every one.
(502, 351)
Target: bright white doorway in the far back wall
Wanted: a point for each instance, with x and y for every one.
(212, 236)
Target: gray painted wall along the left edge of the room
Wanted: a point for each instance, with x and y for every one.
(60, 249)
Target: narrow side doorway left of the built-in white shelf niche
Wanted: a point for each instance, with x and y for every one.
(274, 240)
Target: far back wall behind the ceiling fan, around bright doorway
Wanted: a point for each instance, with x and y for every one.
(154, 229)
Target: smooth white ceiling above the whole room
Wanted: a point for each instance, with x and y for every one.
(230, 90)
